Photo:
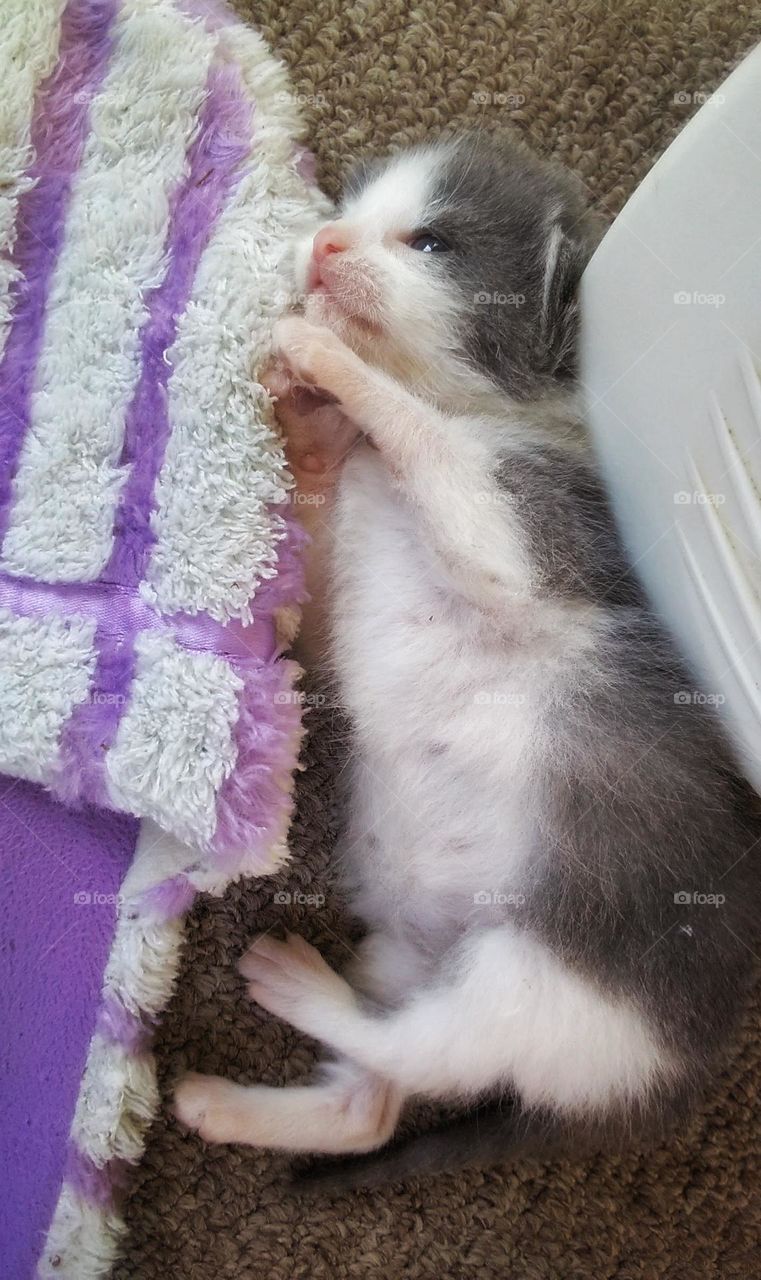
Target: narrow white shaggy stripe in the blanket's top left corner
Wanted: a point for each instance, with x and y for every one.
(29, 51)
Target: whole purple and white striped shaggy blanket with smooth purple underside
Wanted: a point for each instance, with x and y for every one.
(150, 186)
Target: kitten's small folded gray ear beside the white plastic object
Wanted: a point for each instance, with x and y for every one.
(570, 246)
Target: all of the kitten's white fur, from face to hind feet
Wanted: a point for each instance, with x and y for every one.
(447, 656)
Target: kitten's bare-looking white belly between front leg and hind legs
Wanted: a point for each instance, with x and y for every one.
(442, 725)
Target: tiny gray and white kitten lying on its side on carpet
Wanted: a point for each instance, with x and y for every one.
(531, 808)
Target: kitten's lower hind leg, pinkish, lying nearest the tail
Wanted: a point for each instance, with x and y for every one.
(350, 1110)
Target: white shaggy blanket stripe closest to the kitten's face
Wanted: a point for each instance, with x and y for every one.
(224, 463)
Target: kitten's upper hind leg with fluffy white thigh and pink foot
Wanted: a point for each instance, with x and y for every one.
(511, 1014)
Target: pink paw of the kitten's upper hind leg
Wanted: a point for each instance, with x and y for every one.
(295, 982)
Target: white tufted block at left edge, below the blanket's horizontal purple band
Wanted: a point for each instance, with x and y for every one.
(45, 673)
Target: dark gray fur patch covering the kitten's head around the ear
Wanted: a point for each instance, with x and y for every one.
(520, 239)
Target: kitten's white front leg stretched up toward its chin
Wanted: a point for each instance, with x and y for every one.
(446, 467)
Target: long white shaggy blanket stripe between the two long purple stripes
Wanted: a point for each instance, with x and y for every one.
(143, 120)
